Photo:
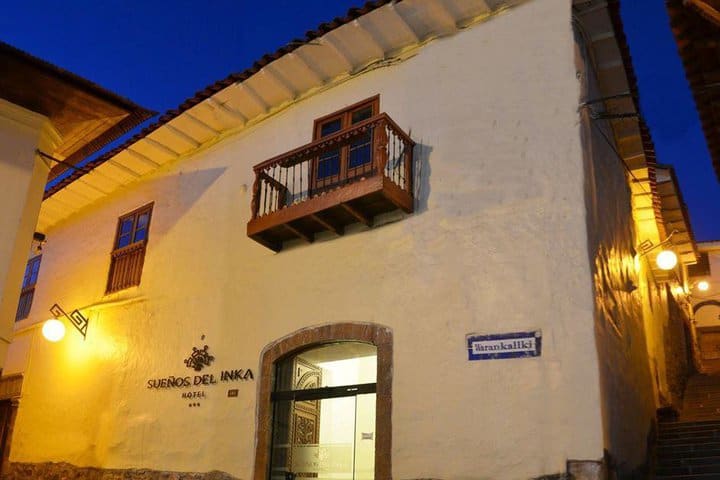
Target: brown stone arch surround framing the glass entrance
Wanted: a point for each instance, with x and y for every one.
(371, 333)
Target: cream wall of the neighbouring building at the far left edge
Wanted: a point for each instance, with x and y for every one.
(22, 179)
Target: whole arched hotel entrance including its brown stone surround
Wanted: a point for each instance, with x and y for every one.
(325, 404)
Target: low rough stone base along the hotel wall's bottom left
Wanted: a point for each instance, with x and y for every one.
(66, 471)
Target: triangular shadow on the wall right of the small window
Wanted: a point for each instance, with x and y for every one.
(177, 194)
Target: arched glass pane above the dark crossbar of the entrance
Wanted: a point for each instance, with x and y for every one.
(330, 365)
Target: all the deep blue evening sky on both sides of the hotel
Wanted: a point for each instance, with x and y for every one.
(158, 53)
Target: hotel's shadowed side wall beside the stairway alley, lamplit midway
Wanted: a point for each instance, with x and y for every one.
(626, 381)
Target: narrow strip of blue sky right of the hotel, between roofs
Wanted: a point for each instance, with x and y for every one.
(668, 107)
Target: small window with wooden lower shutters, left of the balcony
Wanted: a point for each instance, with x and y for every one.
(128, 255)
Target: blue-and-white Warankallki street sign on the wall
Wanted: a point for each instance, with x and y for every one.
(504, 345)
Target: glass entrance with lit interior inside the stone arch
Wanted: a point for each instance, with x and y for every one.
(324, 413)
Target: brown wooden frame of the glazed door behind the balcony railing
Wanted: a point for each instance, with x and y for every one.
(345, 117)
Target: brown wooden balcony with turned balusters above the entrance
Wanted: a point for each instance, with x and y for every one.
(348, 177)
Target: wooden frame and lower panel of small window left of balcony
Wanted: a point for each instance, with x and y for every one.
(126, 263)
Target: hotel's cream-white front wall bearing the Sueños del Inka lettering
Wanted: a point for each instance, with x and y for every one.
(497, 244)
